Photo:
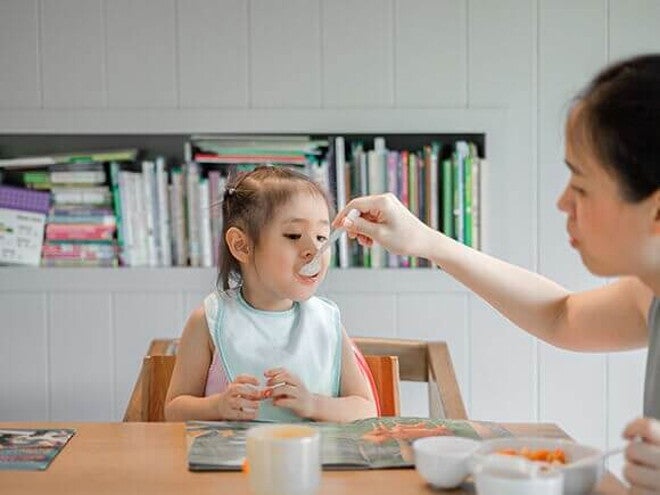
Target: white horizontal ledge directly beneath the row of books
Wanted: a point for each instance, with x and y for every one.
(352, 280)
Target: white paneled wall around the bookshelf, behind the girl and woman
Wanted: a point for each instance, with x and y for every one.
(71, 341)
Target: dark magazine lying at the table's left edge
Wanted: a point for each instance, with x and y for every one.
(31, 449)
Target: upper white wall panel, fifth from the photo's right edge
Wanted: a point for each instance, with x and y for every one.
(358, 53)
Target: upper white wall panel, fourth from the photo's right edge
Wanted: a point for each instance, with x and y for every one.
(427, 73)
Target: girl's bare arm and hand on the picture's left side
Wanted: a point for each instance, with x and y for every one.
(185, 397)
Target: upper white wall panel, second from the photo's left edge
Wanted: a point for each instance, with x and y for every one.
(73, 53)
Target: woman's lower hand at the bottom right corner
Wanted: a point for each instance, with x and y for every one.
(642, 469)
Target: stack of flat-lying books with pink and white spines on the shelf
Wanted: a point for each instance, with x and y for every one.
(81, 225)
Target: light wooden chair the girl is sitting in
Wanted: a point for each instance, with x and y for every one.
(388, 360)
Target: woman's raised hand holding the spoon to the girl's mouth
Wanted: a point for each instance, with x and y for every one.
(385, 220)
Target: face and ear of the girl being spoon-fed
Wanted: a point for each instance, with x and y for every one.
(272, 280)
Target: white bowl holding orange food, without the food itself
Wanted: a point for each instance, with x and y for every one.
(578, 479)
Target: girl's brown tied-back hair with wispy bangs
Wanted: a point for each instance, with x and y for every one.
(250, 202)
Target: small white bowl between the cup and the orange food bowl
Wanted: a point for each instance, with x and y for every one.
(443, 461)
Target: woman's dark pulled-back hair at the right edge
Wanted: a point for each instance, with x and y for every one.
(621, 112)
